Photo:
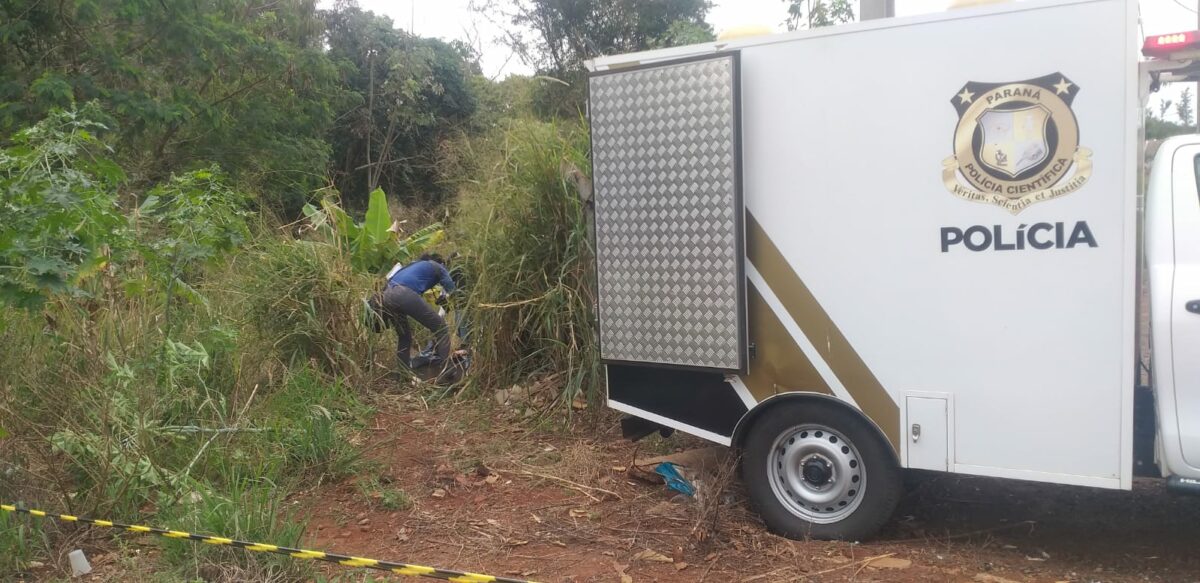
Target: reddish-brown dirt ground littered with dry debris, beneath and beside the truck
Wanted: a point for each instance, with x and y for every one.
(490, 495)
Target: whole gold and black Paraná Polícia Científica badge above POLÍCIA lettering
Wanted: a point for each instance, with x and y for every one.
(1017, 143)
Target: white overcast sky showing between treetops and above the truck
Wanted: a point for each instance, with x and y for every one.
(454, 20)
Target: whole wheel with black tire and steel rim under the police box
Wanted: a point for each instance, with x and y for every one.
(883, 483)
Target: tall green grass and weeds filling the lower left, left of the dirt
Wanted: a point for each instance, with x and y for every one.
(203, 425)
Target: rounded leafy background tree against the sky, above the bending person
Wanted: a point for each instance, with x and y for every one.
(409, 95)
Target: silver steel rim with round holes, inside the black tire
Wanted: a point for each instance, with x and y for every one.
(817, 473)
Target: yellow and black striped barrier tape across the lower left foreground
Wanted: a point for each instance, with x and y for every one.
(298, 554)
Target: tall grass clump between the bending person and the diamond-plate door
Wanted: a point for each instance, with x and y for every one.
(523, 230)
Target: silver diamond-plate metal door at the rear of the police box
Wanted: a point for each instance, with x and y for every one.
(667, 167)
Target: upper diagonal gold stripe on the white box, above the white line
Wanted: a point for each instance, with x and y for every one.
(817, 324)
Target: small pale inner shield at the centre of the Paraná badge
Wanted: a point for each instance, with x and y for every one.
(1015, 140)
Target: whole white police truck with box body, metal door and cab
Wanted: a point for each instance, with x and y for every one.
(902, 244)
